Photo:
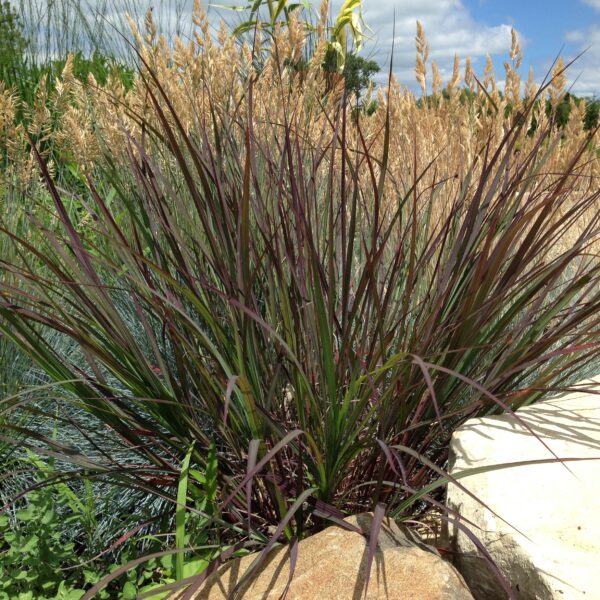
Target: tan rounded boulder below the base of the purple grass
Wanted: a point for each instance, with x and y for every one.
(331, 565)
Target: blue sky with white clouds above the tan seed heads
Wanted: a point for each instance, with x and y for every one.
(466, 27)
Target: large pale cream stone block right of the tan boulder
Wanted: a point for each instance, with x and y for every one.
(546, 537)
